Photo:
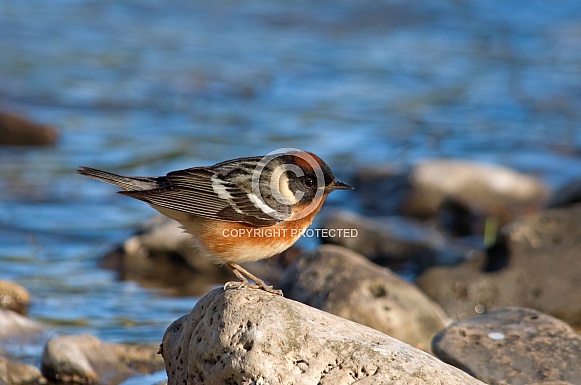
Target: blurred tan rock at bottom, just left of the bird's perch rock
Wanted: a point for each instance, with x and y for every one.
(84, 359)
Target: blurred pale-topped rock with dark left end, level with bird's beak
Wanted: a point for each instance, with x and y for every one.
(485, 190)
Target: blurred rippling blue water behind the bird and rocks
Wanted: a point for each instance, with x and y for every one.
(145, 87)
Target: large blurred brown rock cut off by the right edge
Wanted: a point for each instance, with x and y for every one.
(541, 271)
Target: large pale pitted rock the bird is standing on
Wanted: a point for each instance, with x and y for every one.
(248, 336)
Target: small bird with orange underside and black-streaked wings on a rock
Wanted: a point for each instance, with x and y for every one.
(239, 210)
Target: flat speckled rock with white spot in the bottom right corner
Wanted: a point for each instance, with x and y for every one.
(515, 346)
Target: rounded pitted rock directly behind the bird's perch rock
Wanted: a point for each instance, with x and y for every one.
(342, 282)
